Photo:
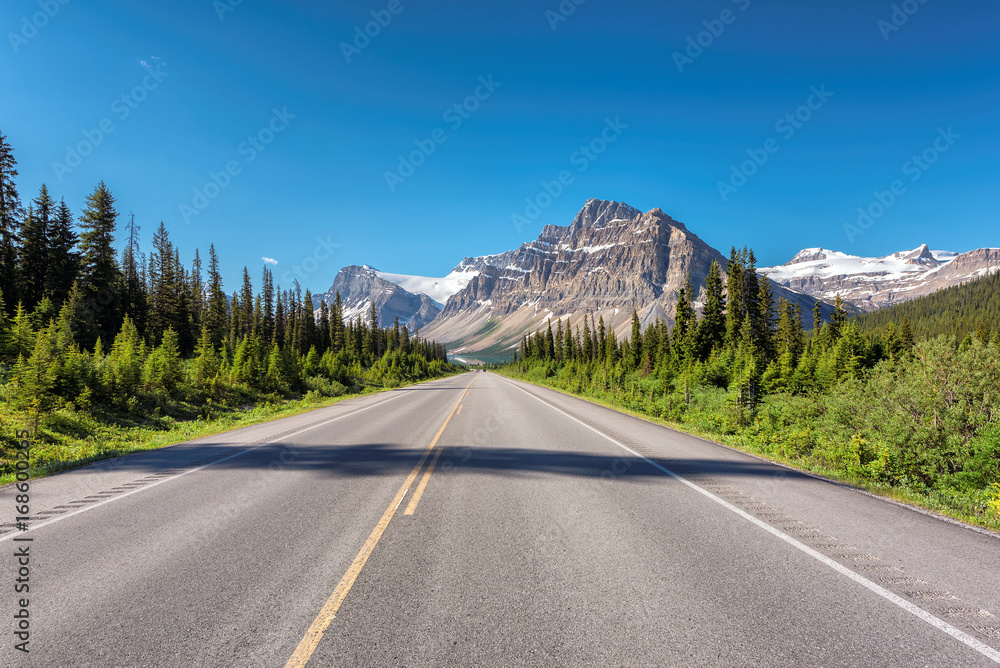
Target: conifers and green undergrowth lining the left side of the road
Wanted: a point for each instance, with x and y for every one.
(103, 353)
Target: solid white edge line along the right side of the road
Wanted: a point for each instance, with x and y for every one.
(942, 625)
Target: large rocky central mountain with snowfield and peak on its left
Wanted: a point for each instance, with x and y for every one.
(609, 260)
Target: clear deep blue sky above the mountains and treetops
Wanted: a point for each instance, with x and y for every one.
(201, 78)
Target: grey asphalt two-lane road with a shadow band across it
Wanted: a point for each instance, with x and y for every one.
(549, 532)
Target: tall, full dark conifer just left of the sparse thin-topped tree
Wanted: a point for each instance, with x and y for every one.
(99, 275)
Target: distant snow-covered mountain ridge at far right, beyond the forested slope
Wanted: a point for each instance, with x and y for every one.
(871, 283)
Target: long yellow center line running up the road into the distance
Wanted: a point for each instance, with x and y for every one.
(300, 657)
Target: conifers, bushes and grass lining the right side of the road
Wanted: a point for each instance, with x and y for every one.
(917, 420)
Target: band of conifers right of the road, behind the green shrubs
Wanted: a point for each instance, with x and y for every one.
(744, 341)
